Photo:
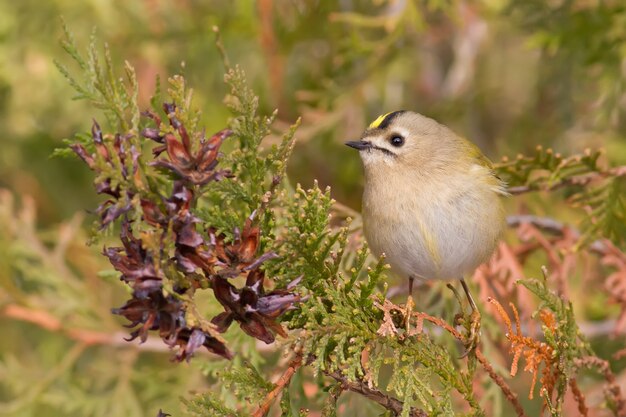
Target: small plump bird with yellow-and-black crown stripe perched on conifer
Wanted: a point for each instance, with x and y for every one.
(431, 202)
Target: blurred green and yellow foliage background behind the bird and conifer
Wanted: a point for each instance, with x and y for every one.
(509, 74)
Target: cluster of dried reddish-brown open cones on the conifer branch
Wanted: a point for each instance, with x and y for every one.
(162, 275)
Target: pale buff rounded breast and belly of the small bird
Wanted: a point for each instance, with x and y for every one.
(430, 230)
